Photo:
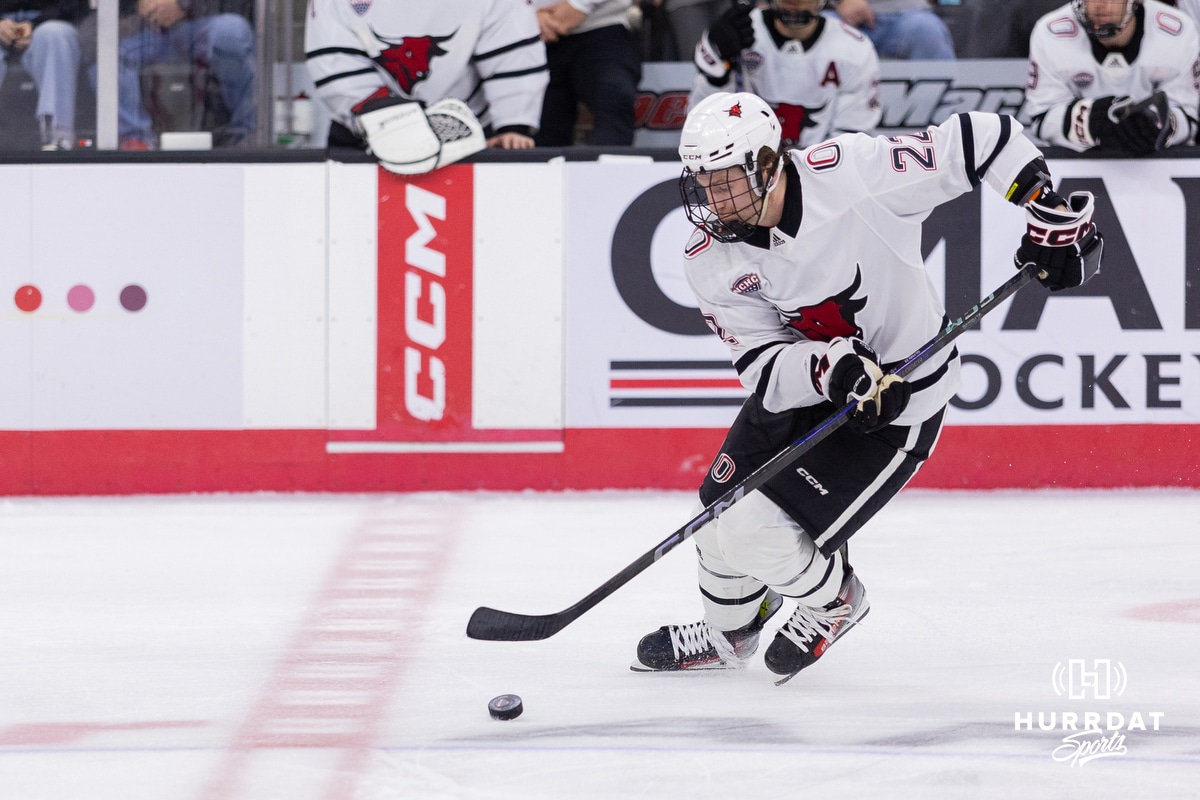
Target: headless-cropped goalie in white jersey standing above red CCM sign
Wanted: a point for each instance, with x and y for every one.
(424, 83)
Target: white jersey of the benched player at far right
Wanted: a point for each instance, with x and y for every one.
(1065, 69)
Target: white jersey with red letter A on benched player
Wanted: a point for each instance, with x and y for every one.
(830, 88)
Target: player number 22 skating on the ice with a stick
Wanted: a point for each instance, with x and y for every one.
(808, 266)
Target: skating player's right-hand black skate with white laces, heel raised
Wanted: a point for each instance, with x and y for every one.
(809, 633)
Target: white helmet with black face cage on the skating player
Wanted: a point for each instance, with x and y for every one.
(727, 139)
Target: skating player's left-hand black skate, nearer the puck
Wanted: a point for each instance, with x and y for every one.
(699, 647)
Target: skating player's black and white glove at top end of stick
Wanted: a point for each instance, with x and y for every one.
(1063, 243)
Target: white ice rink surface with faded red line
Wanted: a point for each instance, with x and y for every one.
(297, 647)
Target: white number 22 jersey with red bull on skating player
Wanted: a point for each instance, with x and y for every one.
(845, 260)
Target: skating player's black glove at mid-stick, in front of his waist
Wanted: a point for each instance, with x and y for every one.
(848, 371)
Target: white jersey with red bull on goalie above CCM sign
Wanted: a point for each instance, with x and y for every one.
(487, 53)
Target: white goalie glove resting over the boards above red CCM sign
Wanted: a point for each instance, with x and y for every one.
(411, 140)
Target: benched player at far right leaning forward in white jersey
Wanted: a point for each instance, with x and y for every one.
(1121, 75)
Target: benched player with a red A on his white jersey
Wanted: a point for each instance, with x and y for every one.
(819, 75)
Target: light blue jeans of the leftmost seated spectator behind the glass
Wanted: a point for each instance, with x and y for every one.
(53, 62)
